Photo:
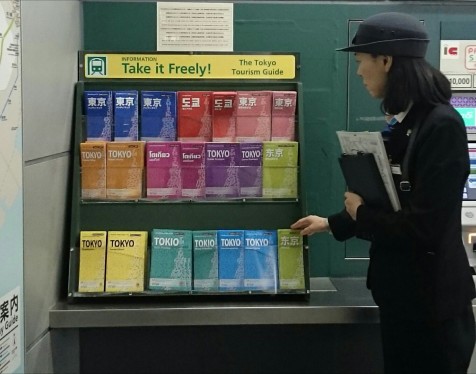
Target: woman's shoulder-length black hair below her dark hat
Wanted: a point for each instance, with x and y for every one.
(414, 80)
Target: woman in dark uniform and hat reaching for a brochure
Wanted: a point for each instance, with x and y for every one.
(418, 274)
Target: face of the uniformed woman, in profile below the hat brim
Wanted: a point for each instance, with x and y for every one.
(373, 71)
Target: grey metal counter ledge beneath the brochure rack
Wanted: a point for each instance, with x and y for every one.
(332, 301)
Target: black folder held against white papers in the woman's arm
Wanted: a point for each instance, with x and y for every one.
(363, 177)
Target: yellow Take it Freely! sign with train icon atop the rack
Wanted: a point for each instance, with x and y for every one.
(183, 66)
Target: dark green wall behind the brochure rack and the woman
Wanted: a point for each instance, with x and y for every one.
(334, 98)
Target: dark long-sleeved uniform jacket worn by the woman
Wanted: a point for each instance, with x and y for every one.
(418, 266)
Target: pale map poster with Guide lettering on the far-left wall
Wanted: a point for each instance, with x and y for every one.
(11, 197)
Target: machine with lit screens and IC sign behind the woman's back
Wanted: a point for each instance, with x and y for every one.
(458, 63)
